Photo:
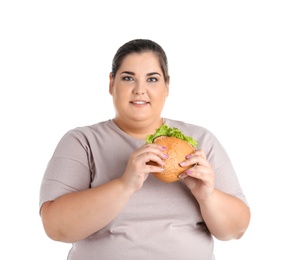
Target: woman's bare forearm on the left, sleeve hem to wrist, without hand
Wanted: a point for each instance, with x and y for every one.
(77, 215)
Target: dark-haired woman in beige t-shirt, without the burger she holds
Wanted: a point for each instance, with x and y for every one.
(98, 192)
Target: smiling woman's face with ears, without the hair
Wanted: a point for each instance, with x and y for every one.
(139, 89)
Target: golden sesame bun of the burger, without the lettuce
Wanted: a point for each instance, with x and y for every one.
(177, 150)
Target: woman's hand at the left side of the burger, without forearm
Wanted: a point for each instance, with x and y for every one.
(137, 169)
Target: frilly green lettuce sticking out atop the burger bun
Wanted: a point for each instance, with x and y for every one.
(170, 131)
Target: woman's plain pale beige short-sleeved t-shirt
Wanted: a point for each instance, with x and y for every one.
(160, 221)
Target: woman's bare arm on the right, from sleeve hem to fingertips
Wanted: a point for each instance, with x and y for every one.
(226, 216)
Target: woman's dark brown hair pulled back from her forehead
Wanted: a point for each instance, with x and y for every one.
(139, 46)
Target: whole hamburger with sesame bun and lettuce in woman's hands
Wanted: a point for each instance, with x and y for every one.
(178, 146)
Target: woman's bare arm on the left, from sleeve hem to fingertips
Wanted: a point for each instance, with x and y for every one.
(77, 215)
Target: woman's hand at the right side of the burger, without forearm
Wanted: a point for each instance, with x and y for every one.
(200, 177)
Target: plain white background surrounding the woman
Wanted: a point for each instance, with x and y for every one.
(228, 63)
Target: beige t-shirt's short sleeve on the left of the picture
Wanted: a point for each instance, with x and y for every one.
(68, 170)
